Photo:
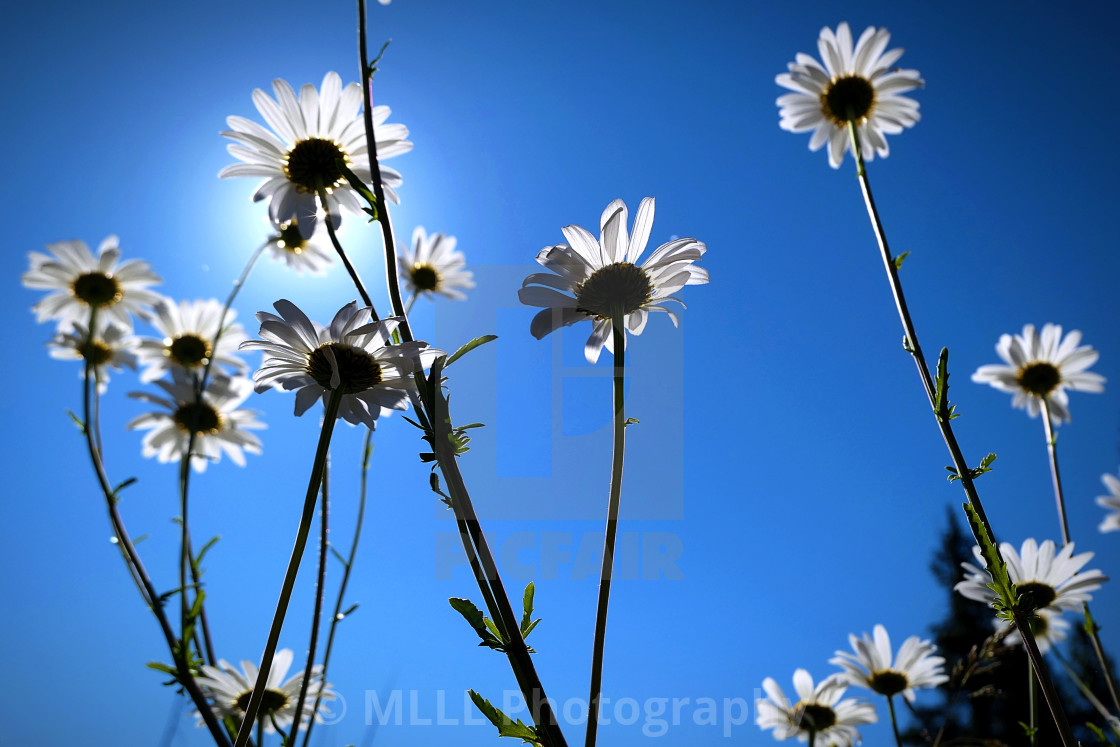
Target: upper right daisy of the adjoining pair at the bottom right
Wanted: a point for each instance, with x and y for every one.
(871, 667)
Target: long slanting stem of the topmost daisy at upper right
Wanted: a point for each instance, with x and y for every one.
(1022, 622)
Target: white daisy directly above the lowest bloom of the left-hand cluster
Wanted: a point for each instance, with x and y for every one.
(188, 331)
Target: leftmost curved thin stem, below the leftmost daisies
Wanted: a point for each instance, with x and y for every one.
(91, 428)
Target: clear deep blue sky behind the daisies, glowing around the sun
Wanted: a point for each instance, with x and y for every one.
(786, 487)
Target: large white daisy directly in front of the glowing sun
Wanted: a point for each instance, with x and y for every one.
(310, 135)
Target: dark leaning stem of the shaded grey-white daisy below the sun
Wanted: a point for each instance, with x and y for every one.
(290, 581)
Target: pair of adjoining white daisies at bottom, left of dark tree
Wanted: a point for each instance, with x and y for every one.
(822, 717)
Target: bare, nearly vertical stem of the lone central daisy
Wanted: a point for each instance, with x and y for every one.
(609, 541)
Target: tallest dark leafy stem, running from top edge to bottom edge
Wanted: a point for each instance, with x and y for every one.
(498, 600)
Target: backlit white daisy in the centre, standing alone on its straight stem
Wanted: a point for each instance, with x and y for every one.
(604, 282)
